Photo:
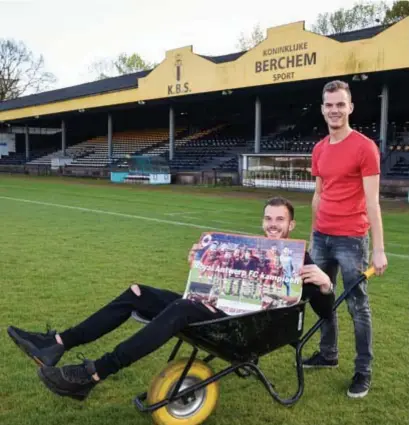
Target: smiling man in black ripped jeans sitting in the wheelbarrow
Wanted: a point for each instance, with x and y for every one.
(167, 311)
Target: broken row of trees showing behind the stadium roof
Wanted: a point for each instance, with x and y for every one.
(22, 72)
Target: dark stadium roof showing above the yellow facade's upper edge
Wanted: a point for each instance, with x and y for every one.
(131, 80)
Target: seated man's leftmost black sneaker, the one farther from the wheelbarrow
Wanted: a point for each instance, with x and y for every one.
(41, 347)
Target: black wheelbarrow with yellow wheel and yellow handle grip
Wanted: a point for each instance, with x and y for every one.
(186, 391)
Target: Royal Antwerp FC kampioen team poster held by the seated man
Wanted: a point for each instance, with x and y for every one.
(240, 274)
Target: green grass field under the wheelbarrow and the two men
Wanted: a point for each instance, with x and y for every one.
(69, 246)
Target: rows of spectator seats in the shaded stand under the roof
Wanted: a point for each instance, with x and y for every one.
(218, 145)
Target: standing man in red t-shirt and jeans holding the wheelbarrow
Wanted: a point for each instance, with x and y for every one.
(345, 206)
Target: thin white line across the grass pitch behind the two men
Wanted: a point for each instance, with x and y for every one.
(141, 217)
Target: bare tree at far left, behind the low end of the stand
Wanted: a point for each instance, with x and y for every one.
(20, 71)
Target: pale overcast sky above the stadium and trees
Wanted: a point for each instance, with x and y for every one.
(71, 34)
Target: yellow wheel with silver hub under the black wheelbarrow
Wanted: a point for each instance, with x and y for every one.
(197, 409)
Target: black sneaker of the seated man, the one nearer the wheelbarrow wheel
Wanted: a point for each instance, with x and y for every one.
(73, 381)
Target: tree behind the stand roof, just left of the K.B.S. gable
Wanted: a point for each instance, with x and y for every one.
(123, 64)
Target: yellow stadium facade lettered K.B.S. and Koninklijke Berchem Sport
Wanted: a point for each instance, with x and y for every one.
(289, 53)
